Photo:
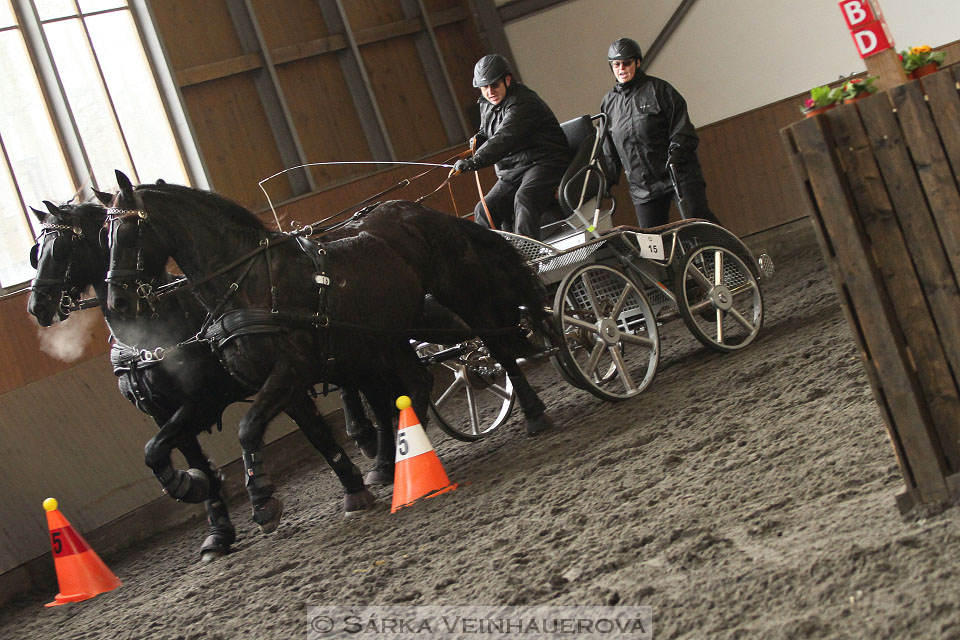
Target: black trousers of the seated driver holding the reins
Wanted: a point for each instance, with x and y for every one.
(517, 206)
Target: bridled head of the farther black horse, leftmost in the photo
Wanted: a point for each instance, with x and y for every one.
(68, 258)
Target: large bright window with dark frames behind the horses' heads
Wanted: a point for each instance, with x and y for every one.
(80, 100)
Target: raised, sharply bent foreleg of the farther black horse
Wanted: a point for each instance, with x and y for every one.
(191, 486)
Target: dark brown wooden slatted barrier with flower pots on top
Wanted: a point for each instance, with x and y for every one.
(882, 178)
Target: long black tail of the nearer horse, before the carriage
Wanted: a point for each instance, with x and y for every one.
(513, 281)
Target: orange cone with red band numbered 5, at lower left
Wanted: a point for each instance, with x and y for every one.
(80, 571)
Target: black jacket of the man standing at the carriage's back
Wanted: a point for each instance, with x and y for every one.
(649, 128)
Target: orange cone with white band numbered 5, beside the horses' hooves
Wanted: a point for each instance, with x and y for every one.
(418, 473)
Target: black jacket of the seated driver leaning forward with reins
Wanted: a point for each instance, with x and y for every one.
(520, 131)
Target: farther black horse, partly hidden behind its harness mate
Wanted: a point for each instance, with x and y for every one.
(184, 389)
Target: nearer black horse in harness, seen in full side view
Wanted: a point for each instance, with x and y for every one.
(288, 313)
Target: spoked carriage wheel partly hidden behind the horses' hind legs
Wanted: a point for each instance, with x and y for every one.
(472, 395)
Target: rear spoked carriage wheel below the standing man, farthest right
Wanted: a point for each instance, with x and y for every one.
(718, 298)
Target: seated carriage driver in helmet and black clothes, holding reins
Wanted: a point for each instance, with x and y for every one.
(519, 133)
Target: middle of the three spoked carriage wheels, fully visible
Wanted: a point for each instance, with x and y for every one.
(612, 346)
